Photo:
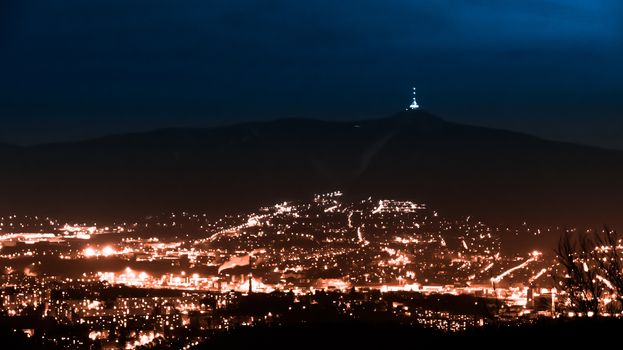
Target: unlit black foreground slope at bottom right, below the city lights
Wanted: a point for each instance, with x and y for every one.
(558, 334)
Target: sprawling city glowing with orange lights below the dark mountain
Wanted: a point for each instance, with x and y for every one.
(126, 286)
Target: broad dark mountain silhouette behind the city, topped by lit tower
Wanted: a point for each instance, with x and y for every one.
(497, 175)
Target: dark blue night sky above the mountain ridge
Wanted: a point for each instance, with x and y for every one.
(74, 69)
